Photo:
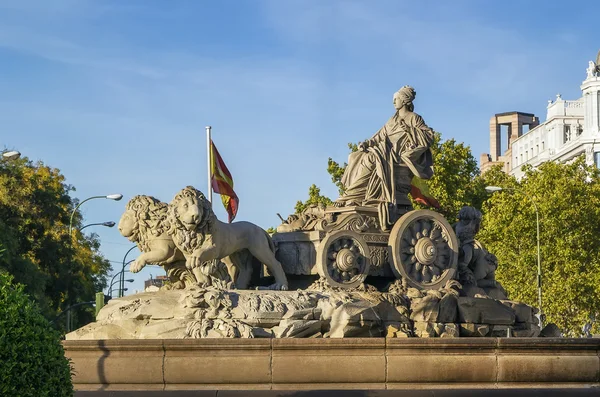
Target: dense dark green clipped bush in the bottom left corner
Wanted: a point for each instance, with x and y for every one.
(32, 357)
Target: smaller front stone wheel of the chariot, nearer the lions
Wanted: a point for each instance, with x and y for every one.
(343, 259)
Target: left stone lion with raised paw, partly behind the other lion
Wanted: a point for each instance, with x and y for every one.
(144, 223)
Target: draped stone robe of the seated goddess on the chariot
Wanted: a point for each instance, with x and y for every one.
(399, 150)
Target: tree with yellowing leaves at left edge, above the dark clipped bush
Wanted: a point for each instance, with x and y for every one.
(57, 269)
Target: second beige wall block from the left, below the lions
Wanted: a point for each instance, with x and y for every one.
(217, 361)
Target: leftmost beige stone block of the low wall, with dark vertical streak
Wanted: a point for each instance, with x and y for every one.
(116, 362)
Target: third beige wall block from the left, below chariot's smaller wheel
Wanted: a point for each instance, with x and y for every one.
(328, 361)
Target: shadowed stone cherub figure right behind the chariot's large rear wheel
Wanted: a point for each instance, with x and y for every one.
(476, 266)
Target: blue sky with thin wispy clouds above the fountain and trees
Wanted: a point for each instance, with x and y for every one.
(116, 94)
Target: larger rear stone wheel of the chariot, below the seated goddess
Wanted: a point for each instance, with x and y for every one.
(424, 249)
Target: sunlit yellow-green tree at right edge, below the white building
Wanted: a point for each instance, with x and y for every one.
(568, 200)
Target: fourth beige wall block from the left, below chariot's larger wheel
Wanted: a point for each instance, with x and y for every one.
(451, 360)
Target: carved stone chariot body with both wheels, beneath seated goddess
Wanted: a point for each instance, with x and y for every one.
(348, 244)
